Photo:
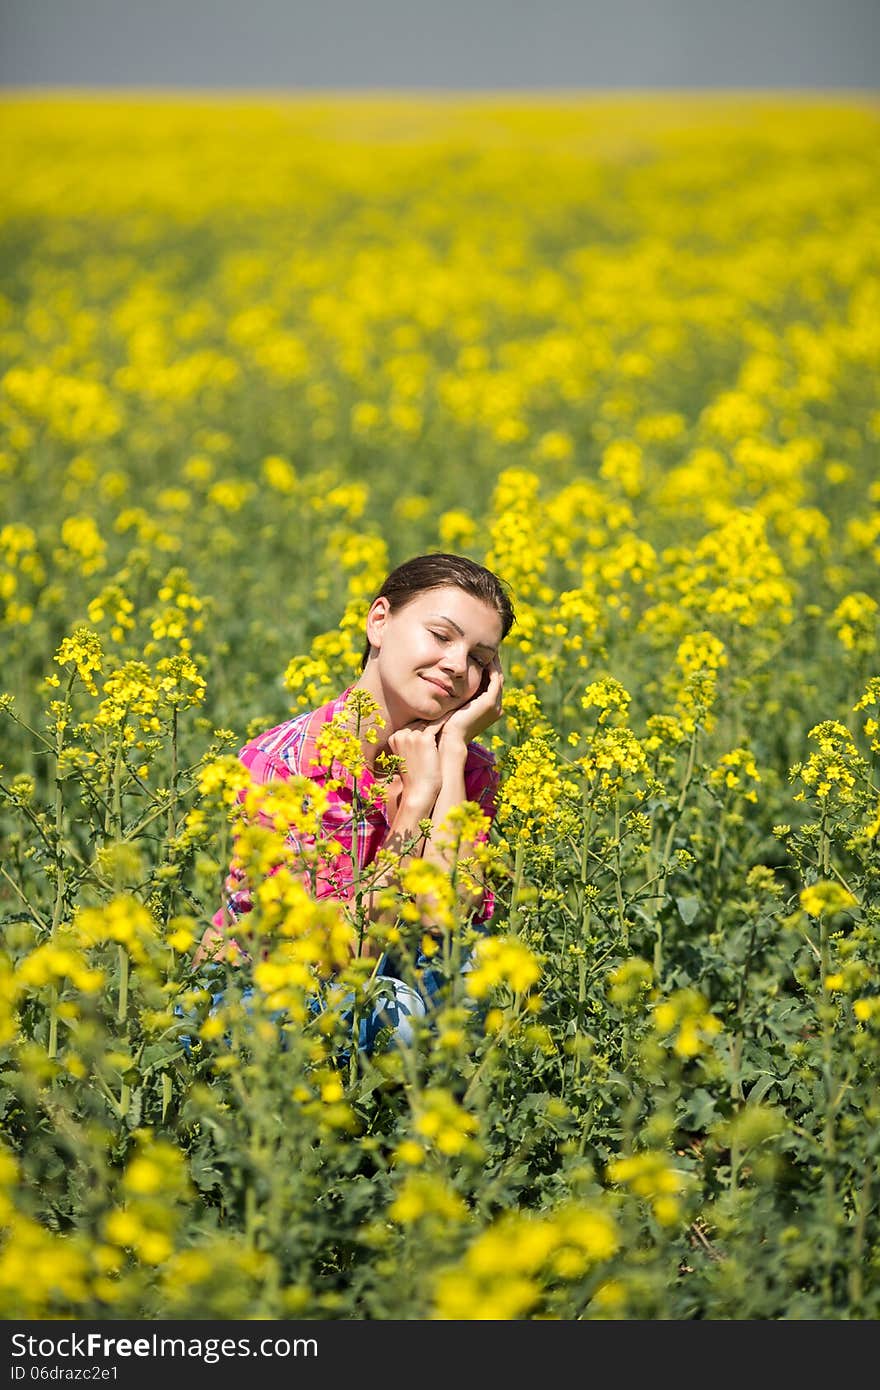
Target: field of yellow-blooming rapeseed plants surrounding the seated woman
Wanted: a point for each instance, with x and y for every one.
(254, 354)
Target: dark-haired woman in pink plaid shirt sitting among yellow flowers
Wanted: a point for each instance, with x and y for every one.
(433, 671)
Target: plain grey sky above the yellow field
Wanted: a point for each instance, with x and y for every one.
(440, 44)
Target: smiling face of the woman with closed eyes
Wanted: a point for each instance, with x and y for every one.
(433, 653)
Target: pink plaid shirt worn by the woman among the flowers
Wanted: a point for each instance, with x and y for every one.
(290, 750)
